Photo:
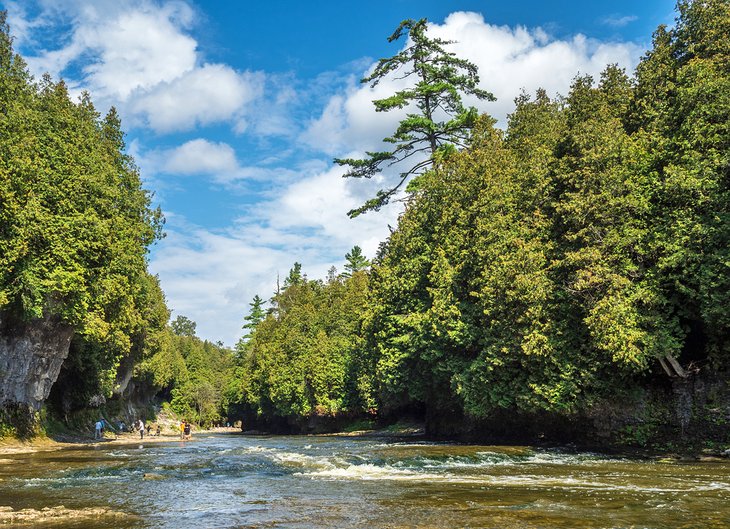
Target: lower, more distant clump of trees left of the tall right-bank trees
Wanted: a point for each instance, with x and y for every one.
(304, 357)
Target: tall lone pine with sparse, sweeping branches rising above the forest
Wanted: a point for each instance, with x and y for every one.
(442, 121)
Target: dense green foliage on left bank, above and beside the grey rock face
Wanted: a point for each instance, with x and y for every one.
(75, 227)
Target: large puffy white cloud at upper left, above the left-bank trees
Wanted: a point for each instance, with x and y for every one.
(140, 57)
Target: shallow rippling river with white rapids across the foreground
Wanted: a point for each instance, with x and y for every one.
(233, 481)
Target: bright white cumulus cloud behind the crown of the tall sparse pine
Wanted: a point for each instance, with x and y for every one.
(509, 59)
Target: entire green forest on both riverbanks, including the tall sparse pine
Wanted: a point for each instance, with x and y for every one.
(566, 277)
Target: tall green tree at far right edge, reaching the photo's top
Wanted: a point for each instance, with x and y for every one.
(682, 107)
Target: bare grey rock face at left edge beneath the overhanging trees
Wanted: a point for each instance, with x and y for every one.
(31, 355)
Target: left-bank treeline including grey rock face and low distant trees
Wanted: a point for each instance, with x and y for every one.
(82, 322)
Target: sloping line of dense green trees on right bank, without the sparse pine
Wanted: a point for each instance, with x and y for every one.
(545, 268)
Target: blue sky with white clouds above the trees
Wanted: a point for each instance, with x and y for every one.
(234, 111)
